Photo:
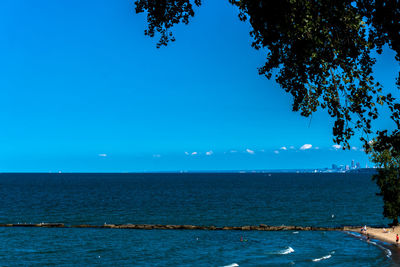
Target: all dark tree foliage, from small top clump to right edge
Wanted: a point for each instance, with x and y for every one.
(321, 53)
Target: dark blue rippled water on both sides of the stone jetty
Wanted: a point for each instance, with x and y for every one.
(219, 199)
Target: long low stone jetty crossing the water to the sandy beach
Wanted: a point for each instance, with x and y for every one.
(261, 227)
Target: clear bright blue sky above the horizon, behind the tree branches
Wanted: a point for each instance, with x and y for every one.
(82, 89)
